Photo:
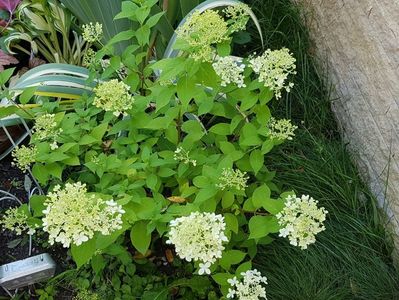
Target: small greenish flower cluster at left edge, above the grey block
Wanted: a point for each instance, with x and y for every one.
(16, 220)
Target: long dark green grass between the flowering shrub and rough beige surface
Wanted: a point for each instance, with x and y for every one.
(351, 259)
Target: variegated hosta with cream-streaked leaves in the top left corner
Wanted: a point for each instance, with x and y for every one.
(47, 27)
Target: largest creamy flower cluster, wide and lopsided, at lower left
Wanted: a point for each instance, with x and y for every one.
(72, 216)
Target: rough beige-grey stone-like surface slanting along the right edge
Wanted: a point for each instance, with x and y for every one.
(358, 43)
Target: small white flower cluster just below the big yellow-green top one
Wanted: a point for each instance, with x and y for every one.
(230, 70)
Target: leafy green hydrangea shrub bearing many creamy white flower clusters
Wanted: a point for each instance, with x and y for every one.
(166, 161)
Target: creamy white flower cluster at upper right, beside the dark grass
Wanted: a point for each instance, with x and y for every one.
(273, 68)
